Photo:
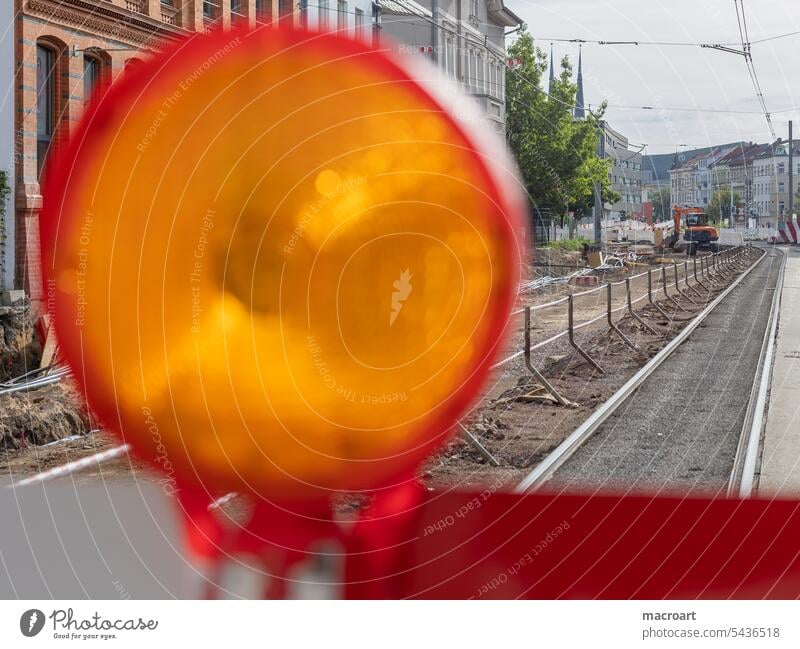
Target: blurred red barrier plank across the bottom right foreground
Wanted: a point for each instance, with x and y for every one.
(498, 545)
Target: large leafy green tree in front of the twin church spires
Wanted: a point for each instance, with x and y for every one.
(556, 154)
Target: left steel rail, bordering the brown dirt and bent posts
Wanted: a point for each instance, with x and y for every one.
(547, 467)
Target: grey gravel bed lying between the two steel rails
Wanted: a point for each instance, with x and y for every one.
(680, 430)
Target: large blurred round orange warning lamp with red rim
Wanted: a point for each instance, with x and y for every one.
(279, 264)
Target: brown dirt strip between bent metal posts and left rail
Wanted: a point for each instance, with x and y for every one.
(520, 432)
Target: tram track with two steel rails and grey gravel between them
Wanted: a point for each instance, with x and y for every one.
(595, 455)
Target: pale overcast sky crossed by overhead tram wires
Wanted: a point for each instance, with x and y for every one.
(678, 77)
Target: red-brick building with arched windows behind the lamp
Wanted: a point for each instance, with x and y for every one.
(62, 51)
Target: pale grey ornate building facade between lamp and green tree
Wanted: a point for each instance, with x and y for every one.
(464, 39)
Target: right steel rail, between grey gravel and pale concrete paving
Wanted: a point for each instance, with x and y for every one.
(742, 477)
